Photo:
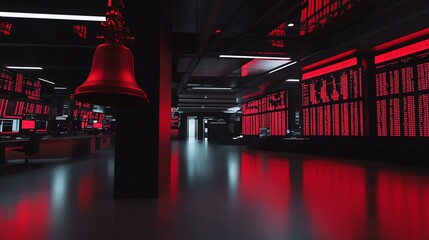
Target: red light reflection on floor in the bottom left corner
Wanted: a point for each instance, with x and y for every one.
(28, 219)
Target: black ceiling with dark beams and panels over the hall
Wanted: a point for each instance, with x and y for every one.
(244, 28)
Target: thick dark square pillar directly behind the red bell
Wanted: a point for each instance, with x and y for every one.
(142, 144)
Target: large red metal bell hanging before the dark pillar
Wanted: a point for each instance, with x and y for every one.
(111, 81)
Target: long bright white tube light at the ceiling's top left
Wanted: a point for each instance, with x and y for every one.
(53, 16)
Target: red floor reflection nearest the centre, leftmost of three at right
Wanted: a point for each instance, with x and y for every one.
(267, 184)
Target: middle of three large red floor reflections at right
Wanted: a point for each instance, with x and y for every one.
(335, 196)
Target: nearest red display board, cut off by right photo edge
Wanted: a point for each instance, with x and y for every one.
(402, 91)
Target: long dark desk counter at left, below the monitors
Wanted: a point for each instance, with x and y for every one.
(56, 147)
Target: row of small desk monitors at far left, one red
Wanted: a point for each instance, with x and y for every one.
(16, 126)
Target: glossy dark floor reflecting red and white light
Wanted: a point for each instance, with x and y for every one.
(221, 192)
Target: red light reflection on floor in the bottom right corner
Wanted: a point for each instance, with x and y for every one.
(403, 206)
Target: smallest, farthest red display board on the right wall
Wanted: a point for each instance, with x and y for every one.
(269, 111)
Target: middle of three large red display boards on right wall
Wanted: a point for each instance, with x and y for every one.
(332, 100)
